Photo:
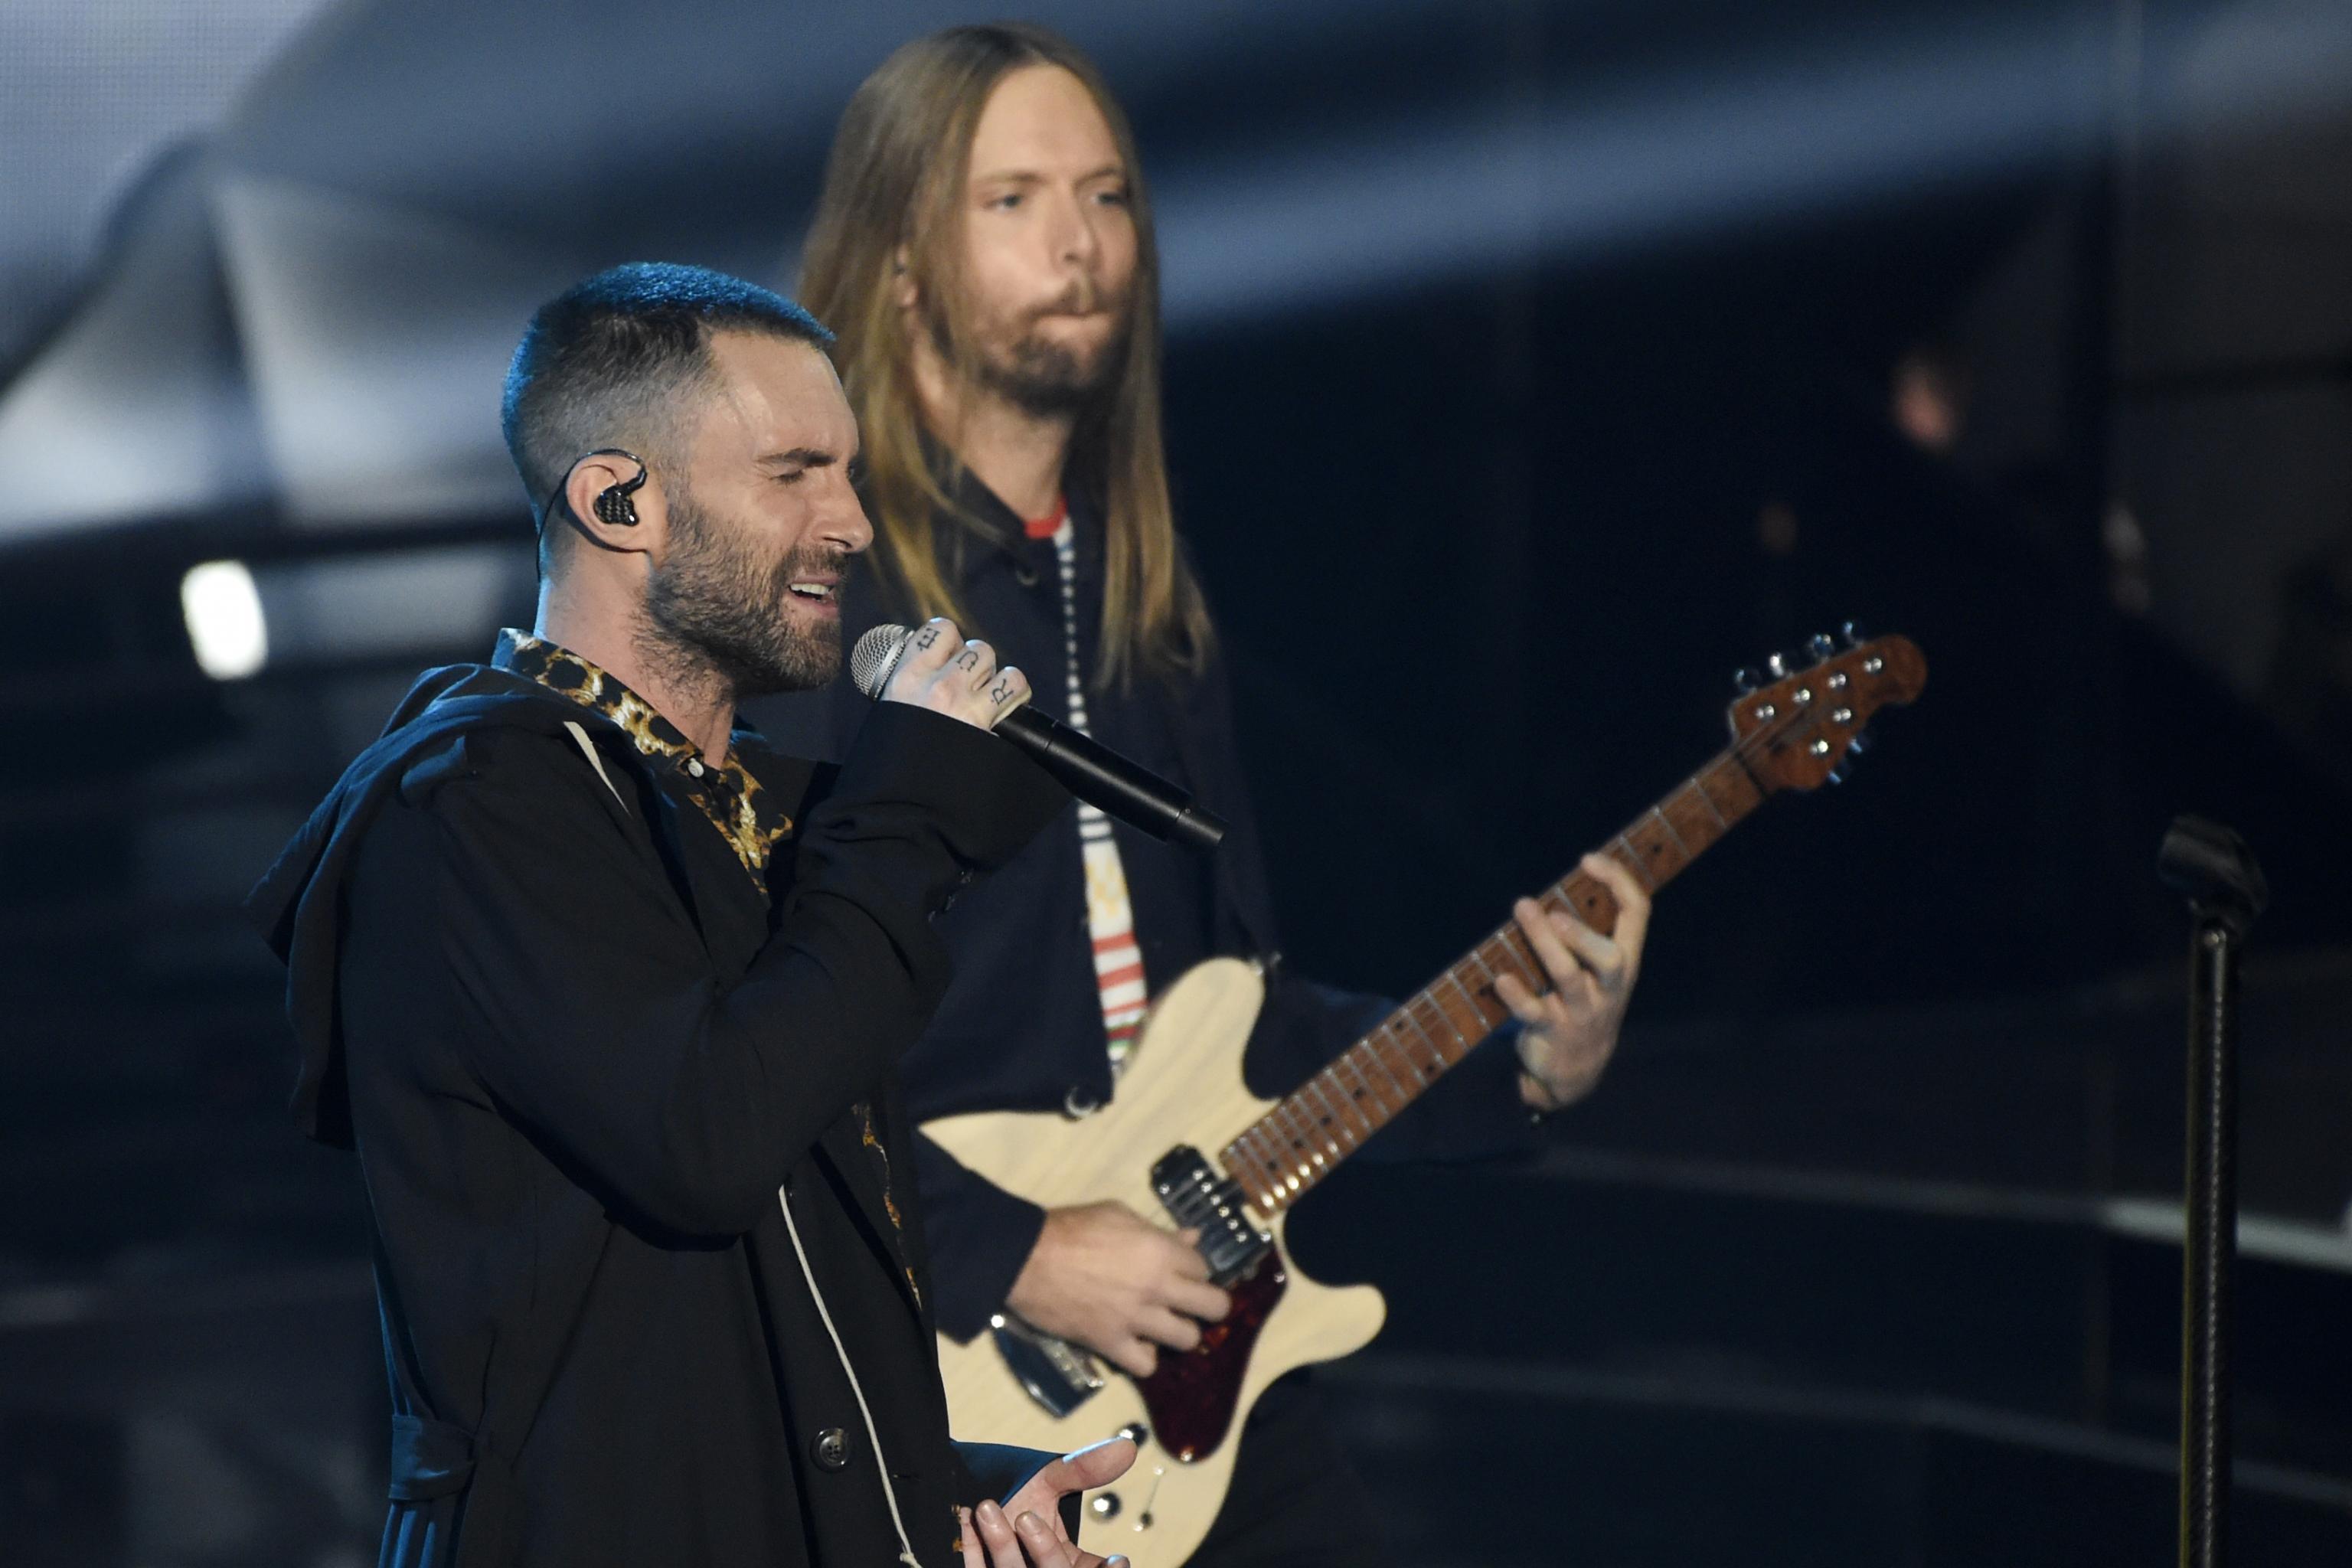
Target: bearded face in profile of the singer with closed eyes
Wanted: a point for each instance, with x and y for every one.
(766, 523)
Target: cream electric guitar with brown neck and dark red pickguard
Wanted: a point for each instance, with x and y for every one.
(1184, 1139)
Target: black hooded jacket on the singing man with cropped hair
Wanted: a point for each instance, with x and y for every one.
(601, 1092)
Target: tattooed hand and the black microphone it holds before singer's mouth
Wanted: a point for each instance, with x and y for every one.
(933, 669)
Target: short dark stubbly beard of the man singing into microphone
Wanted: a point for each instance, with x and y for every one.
(716, 612)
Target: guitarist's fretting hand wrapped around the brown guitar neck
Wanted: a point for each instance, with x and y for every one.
(1572, 1028)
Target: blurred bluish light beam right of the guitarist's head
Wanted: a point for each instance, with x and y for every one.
(1709, 149)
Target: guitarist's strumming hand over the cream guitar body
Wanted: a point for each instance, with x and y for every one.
(1118, 1285)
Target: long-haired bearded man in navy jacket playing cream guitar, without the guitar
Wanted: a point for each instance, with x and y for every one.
(984, 253)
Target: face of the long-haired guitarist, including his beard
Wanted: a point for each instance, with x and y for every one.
(1050, 243)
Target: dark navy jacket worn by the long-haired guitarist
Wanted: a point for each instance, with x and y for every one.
(1022, 1026)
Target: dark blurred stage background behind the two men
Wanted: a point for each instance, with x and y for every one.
(1532, 368)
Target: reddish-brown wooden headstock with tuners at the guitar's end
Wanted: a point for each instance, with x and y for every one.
(1798, 732)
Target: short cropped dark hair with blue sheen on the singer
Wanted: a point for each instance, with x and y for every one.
(606, 361)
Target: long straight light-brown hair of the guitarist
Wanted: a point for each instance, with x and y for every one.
(895, 185)
